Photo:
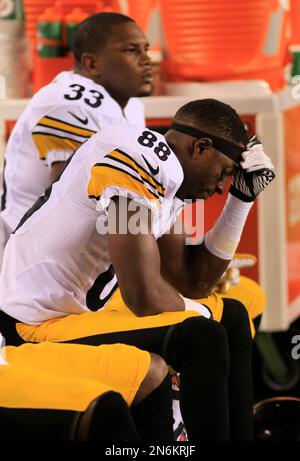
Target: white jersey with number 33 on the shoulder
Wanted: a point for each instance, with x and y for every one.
(58, 119)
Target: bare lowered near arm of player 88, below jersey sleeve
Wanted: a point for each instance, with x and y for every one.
(136, 260)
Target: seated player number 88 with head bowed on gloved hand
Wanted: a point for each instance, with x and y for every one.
(62, 263)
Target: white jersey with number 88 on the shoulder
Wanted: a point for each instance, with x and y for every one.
(57, 262)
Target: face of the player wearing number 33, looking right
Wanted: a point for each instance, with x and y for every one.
(126, 67)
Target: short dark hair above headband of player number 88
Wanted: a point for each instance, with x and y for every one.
(213, 116)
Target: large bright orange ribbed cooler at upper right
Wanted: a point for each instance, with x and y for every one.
(225, 40)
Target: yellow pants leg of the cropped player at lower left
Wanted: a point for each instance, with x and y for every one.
(119, 367)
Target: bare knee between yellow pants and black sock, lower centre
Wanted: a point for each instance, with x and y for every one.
(157, 373)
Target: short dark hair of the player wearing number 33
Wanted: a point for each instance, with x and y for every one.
(94, 31)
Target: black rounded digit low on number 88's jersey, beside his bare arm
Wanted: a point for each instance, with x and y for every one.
(93, 301)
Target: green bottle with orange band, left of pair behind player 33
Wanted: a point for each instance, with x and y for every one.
(50, 39)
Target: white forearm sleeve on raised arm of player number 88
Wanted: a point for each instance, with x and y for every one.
(223, 239)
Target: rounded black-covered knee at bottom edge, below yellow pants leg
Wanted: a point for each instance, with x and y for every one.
(107, 418)
